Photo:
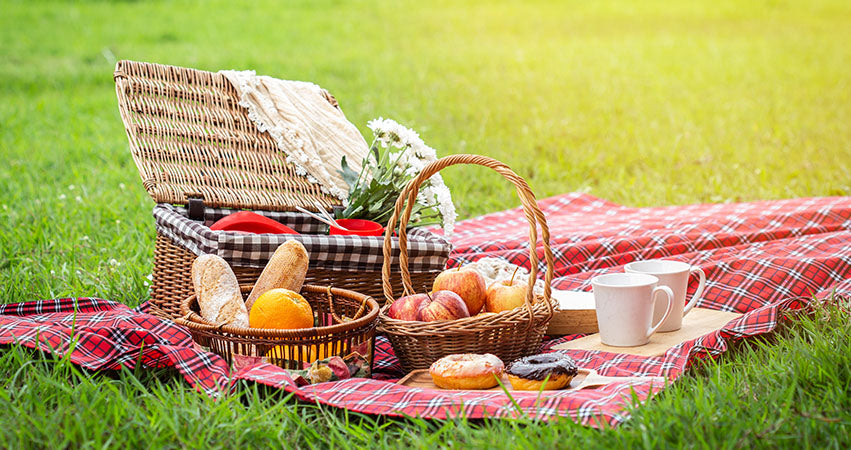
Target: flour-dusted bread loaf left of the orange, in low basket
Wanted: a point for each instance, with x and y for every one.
(217, 291)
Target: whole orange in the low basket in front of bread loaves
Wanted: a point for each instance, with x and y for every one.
(280, 309)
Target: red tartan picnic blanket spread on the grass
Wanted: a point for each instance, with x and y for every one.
(765, 259)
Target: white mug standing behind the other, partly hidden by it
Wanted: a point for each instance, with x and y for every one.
(675, 275)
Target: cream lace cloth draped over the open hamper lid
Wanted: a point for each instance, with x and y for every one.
(312, 133)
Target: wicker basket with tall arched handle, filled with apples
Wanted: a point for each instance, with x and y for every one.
(507, 334)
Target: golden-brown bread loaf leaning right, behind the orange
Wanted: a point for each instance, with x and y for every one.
(286, 269)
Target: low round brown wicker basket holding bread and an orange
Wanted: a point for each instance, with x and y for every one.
(345, 324)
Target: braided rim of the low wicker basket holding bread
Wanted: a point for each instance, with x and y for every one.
(194, 321)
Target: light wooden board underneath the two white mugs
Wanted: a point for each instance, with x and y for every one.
(695, 324)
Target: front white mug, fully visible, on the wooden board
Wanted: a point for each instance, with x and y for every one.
(625, 304)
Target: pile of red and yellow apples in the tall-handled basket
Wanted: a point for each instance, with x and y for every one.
(459, 293)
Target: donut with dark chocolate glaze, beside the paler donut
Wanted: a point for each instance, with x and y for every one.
(529, 373)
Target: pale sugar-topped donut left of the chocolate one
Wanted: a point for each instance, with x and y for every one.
(466, 371)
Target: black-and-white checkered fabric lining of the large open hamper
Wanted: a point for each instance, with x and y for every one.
(427, 251)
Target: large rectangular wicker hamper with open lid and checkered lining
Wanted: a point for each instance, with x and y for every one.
(198, 154)
